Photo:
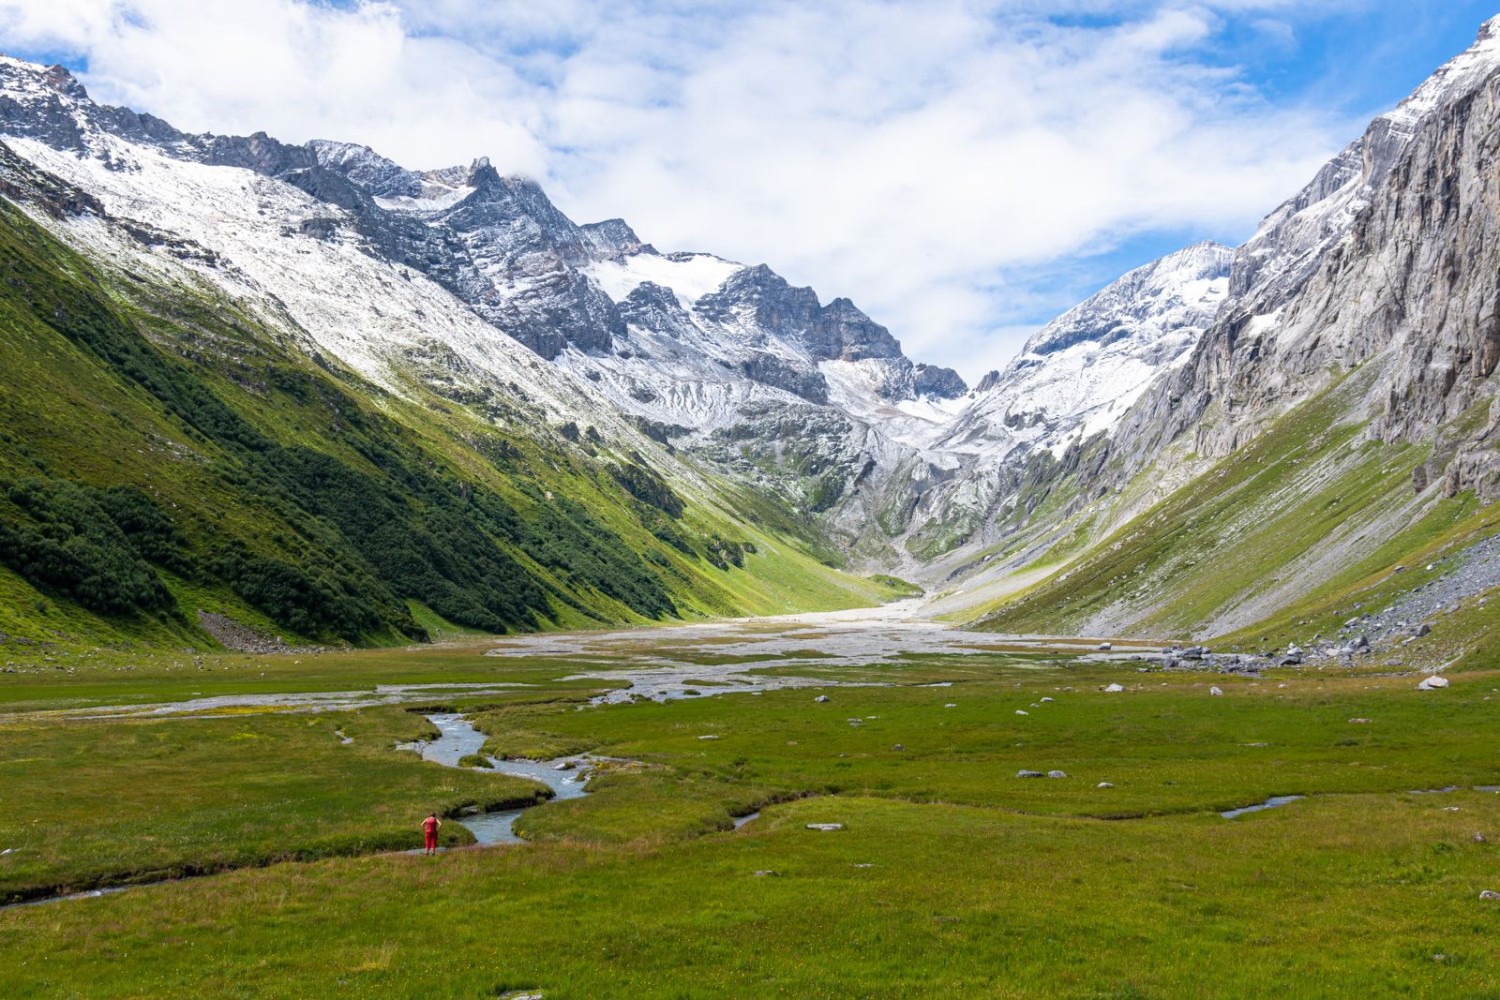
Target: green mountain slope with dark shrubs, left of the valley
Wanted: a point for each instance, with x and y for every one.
(166, 455)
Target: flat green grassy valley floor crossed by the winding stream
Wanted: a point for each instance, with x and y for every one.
(952, 876)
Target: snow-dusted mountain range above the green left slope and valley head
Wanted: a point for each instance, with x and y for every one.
(472, 284)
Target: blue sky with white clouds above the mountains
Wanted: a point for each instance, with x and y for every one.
(962, 169)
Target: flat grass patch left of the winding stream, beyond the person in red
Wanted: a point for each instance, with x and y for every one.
(110, 803)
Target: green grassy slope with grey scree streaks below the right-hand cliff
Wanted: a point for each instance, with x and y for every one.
(1283, 540)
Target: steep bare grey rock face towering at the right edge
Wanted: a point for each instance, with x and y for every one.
(1385, 260)
